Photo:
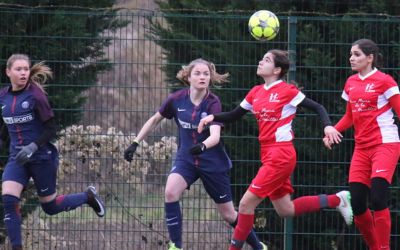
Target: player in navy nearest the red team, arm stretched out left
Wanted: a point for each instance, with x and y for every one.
(200, 155)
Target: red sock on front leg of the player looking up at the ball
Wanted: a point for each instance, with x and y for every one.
(242, 230)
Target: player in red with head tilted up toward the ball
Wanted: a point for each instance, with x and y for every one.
(274, 104)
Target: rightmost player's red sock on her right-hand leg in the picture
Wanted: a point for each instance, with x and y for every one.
(382, 228)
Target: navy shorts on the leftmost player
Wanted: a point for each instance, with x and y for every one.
(42, 169)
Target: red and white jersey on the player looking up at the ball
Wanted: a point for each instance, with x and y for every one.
(274, 107)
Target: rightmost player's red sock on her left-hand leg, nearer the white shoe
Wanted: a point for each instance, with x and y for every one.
(365, 224)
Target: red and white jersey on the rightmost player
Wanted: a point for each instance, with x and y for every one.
(372, 114)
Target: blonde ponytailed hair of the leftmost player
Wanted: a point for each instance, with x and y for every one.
(39, 74)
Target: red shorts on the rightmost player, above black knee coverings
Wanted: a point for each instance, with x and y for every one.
(375, 161)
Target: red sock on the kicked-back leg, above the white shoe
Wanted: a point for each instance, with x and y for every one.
(309, 204)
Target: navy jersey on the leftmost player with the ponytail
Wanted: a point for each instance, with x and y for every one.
(24, 113)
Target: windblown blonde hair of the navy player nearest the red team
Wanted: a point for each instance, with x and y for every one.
(215, 77)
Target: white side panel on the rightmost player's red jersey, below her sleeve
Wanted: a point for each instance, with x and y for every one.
(388, 130)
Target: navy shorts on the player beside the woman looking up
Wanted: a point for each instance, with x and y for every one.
(217, 184)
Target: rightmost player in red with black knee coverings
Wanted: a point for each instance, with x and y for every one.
(371, 95)
